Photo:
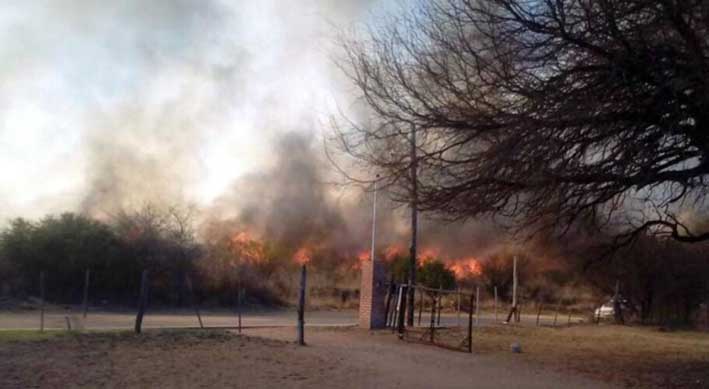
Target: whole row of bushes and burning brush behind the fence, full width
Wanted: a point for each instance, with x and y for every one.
(661, 281)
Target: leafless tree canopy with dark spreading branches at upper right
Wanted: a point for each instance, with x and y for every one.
(541, 110)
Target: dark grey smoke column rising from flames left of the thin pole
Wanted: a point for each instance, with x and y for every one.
(288, 202)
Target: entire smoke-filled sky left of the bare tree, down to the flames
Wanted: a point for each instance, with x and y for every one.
(211, 103)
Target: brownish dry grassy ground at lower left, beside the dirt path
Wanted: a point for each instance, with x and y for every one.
(171, 359)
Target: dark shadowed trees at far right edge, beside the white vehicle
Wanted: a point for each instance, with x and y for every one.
(664, 281)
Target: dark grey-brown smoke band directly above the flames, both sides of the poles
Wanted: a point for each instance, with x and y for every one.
(294, 204)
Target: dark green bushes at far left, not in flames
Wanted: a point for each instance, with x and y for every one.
(116, 253)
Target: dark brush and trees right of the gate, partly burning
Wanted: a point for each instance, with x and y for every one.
(660, 281)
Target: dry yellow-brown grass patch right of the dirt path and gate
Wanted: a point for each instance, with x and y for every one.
(639, 357)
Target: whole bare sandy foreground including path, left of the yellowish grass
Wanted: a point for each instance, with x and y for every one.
(263, 358)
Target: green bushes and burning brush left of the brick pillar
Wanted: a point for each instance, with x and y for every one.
(160, 241)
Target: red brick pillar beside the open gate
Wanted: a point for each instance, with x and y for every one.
(372, 294)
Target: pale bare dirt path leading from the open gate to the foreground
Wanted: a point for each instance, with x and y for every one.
(379, 360)
